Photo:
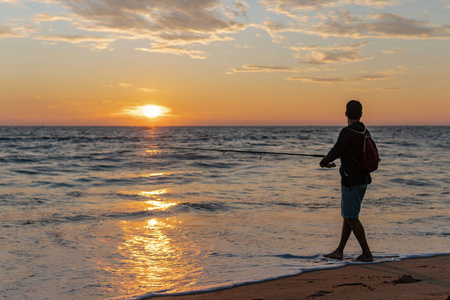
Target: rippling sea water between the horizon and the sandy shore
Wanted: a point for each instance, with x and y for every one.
(107, 212)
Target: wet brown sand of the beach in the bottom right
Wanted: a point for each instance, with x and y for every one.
(429, 278)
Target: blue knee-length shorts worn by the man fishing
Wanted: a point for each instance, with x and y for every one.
(351, 200)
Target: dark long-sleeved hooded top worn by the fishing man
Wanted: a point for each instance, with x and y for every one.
(349, 148)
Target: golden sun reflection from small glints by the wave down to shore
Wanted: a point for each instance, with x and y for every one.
(153, 254)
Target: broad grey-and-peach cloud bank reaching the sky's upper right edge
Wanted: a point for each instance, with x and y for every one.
(344, 24)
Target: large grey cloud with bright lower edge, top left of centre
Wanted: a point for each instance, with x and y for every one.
(174, 23)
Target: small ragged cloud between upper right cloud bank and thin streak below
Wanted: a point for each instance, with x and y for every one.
(331, 54)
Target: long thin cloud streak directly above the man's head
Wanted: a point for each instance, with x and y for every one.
(382, 75)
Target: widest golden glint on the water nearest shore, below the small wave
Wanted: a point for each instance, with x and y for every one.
(153, 260)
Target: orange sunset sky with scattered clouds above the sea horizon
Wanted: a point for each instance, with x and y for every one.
(209, 62)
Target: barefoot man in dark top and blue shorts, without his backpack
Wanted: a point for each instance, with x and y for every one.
(354, 182)
